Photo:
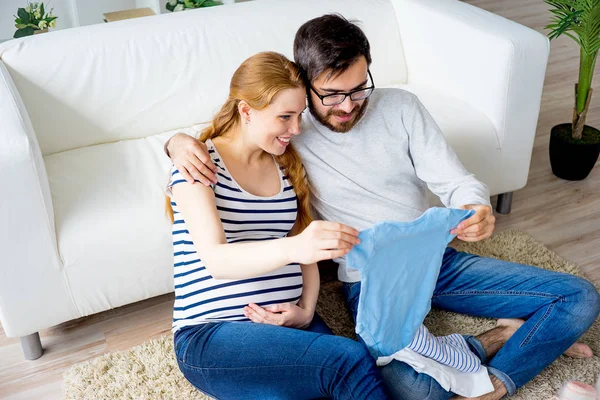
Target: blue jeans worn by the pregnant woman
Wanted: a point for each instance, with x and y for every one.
(245, 360)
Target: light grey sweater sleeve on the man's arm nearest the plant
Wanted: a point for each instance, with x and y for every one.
(436, 163)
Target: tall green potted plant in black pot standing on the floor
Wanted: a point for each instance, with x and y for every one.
(574, 147)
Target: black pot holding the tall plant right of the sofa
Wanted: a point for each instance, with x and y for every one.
(571, 161)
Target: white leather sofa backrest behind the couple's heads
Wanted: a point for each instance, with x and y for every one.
(135, 78)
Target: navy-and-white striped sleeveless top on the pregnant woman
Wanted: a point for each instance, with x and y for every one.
(200, 298)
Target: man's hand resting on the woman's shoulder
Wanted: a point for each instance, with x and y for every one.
(191, 158)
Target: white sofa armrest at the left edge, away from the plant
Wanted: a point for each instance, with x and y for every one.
(33, 290)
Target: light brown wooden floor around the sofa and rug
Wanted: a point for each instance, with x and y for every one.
(565, 216)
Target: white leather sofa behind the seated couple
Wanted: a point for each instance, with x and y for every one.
(84, 114)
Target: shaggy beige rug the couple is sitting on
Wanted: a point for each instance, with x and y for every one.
(149, 371)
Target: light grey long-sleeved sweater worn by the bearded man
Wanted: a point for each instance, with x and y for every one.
(381, 169)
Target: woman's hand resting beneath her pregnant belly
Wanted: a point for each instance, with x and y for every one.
(285, 314)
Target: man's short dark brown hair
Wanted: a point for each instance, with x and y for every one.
(329, 43)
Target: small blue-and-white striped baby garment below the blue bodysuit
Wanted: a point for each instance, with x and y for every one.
(451, 350)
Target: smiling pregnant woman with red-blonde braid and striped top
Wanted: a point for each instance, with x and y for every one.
(246, 280)
